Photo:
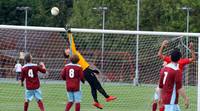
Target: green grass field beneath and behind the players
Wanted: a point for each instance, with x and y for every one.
(130, 98)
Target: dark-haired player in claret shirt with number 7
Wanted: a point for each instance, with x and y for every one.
(170, 84)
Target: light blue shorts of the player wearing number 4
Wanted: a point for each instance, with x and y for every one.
(30, 94)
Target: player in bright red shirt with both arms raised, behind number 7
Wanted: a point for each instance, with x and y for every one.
(182, 62)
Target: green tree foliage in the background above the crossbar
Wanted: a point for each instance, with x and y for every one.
(155, 15)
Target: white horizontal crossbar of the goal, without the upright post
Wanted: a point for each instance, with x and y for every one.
(79, 30)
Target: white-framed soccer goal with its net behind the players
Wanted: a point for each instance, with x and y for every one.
(119, 61)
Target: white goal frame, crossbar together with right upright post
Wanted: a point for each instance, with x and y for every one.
(172, 34)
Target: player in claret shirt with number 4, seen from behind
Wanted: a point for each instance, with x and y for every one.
(30, 74)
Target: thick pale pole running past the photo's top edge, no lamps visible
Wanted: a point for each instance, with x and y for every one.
(137, 46)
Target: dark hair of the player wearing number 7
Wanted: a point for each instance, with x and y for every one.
(175, 55)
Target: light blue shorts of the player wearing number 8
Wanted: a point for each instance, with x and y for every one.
(74, 96)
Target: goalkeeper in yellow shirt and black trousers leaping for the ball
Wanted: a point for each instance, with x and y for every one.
(89, 73)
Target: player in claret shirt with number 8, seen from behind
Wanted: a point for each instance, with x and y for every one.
(73, 74)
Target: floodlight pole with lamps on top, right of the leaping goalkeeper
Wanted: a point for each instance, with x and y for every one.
(103, 9)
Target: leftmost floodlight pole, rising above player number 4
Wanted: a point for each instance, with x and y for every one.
(25, 23)
